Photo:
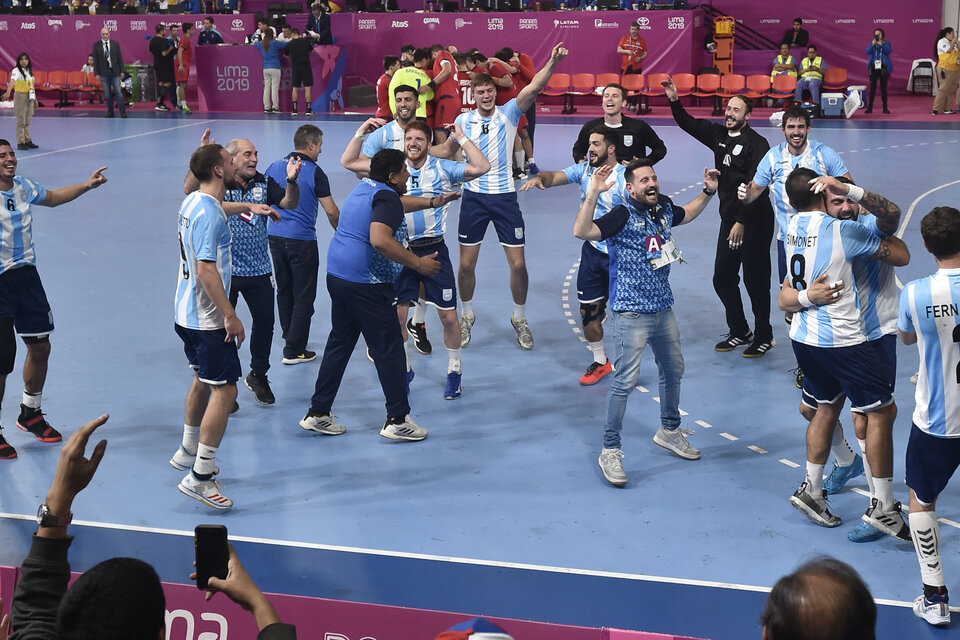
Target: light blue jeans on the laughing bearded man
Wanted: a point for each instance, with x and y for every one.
(631, 333)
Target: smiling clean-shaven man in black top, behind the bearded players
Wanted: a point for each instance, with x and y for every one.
(635, 138)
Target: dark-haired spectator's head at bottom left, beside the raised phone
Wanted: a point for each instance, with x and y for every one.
(118, 599)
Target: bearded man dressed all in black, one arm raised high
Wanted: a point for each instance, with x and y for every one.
(745, 229)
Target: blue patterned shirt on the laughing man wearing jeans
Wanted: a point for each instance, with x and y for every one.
(634, 234)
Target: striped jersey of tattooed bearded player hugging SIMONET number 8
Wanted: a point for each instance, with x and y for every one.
(877, 288)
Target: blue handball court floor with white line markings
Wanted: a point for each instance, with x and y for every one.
(502, 511)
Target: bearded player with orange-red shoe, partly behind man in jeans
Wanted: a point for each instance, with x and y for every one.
(593, 275)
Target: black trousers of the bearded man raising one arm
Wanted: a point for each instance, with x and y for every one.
(754, 256)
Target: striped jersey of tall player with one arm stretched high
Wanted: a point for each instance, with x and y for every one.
(494, 137)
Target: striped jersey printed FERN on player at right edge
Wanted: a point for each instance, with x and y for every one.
(930, 307)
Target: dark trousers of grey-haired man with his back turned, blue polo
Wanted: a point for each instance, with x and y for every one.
(295, 266)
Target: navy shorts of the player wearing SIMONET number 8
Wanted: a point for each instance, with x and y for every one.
(855, 371)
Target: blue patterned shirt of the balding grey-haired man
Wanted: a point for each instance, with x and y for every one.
(251, 254)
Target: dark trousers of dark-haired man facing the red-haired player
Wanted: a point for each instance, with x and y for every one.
(371, 310)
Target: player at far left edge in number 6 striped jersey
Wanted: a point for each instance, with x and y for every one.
(24, 308)
